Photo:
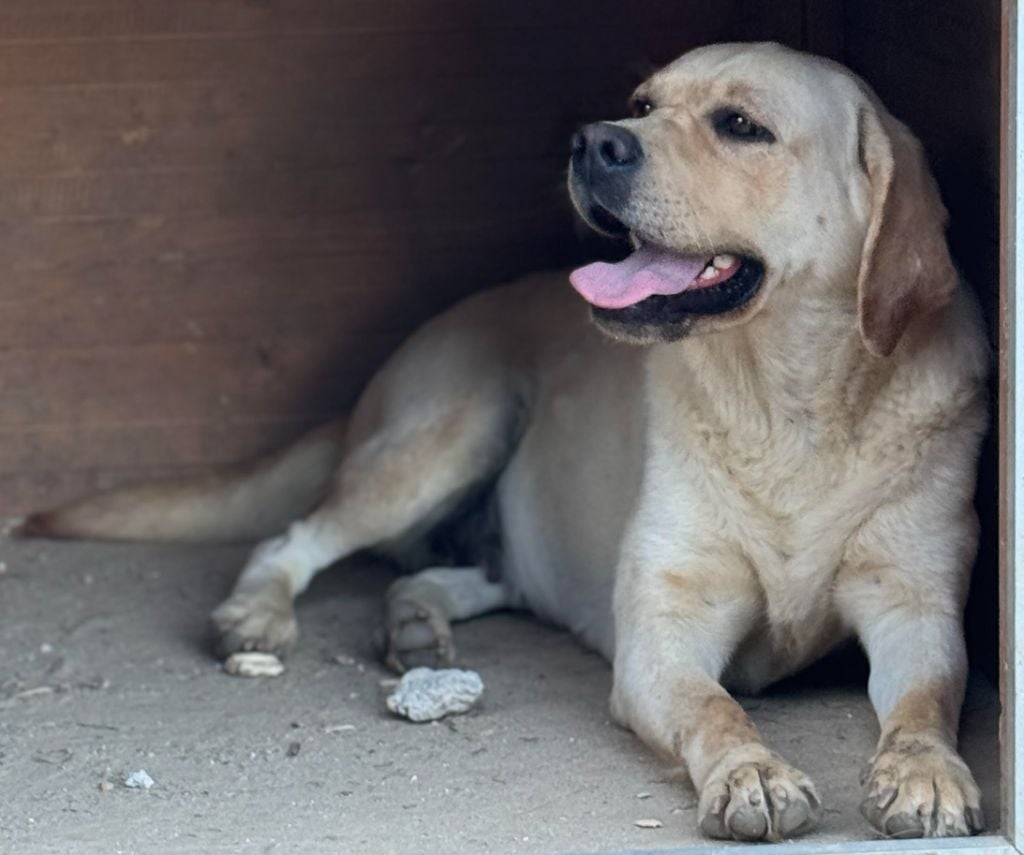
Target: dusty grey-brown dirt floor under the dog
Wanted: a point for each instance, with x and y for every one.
(105, 670)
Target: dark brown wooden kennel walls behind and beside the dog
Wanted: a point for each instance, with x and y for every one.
(219, 217)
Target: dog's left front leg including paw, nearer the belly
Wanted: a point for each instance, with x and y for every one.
(677, 627)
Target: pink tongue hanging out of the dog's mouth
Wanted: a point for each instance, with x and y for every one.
(649, 271)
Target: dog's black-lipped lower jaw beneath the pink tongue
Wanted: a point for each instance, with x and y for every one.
(723, 295)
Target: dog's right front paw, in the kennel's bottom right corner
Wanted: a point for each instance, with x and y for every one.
(920, 788)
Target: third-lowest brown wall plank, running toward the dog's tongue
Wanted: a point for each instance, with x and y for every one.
(240, 301)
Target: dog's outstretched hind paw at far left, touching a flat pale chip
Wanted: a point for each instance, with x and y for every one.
(261, 620)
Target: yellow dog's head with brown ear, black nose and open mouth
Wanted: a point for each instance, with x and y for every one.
(750, 170)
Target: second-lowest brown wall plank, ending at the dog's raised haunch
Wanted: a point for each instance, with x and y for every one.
(176, 382)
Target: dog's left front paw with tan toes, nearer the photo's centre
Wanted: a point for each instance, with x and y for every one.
(753, 795)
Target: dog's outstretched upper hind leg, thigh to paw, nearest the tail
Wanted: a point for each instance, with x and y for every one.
(404, 478)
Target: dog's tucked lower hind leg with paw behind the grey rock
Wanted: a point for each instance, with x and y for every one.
(421, 609)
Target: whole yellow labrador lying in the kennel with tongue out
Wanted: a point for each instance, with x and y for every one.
(787, 459)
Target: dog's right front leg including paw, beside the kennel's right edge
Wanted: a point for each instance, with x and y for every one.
(903, 587)
